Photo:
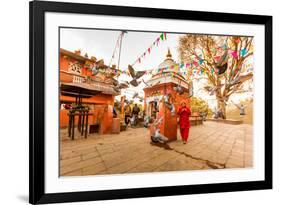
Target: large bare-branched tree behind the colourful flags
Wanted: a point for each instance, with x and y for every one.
(221, 59)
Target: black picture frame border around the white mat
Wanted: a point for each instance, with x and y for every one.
(37, 194)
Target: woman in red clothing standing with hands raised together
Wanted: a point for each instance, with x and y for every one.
(184, 113)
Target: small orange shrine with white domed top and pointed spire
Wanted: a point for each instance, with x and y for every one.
(163, 83)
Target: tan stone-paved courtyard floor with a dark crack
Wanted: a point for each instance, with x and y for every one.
(210, 146)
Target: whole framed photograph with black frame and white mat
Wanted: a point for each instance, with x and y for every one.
(130, 102)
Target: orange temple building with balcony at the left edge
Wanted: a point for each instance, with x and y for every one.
(79, 86)
